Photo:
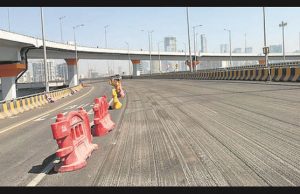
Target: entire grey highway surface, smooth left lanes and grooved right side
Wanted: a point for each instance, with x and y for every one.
(172, 133)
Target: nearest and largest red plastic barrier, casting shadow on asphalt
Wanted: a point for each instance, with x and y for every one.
(74, 139)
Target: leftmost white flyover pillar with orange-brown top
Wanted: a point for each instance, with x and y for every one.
(8, 74)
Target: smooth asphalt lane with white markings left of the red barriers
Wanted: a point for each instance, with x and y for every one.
(27, 146)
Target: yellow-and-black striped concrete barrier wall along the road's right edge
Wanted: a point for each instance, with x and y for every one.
(279, 74)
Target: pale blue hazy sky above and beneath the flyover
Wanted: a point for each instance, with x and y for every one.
(126, 23)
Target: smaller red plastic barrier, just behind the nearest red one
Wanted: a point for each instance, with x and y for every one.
(102, 119)
